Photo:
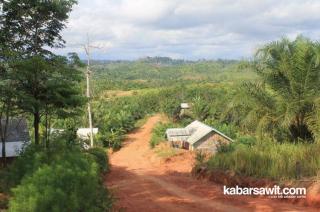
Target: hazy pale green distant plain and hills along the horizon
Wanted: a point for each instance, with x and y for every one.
(164, 72)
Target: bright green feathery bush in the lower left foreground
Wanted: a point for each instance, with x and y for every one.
(71, 184)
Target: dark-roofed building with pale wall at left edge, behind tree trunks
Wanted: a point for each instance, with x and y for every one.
(17, 137)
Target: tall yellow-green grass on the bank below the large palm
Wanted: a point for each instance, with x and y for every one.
(270, 160)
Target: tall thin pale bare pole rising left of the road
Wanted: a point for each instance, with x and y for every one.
(88, 73)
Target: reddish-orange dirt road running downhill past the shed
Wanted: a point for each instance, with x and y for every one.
(141, 181)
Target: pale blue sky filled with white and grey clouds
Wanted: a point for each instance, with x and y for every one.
(187, 29)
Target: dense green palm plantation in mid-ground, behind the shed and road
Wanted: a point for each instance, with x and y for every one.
(117, 116)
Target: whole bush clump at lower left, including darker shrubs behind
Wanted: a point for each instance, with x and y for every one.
(76, 175)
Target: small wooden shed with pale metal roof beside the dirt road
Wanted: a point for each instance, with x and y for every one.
(197, 136)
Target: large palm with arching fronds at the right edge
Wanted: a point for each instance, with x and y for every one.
(287, 99)
